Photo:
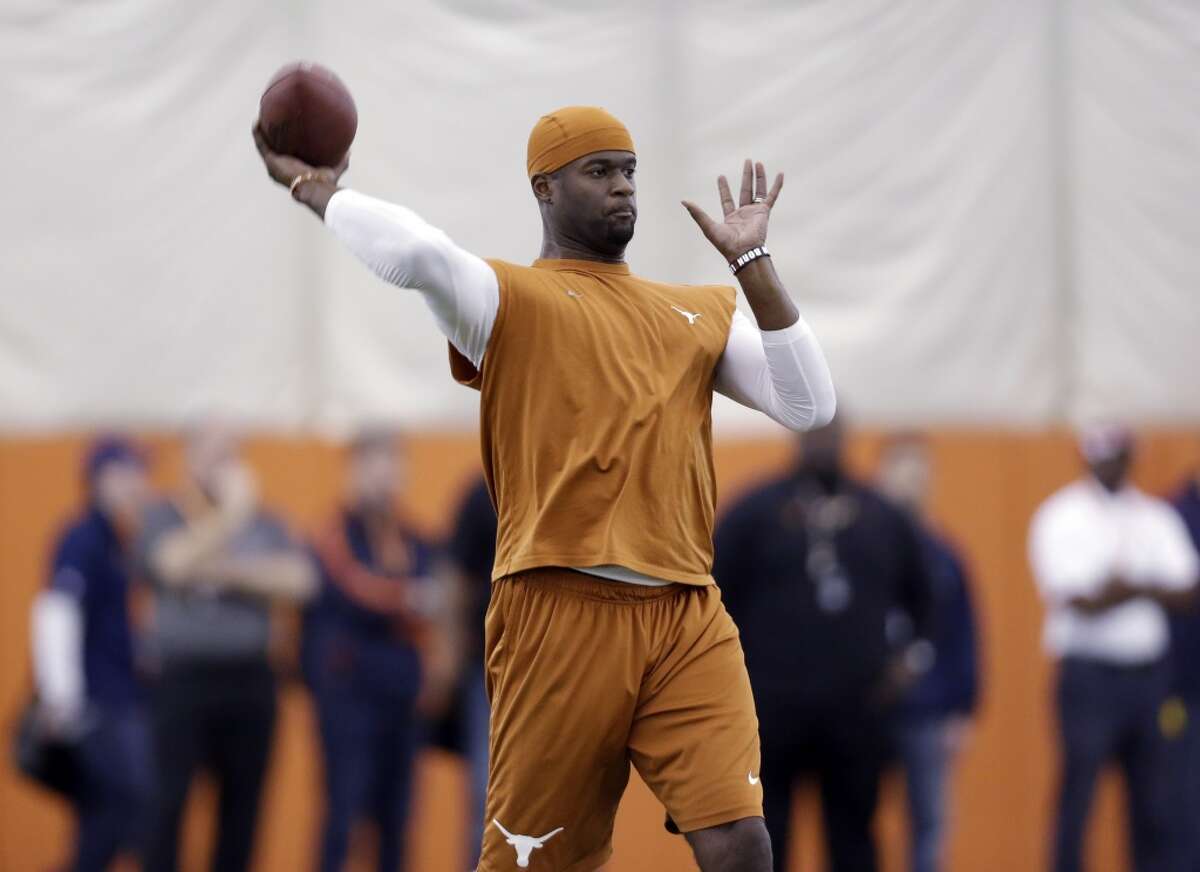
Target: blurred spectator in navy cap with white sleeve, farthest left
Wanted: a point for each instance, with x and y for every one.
(83, 658)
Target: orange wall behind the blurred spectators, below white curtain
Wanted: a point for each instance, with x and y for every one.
(987, 489)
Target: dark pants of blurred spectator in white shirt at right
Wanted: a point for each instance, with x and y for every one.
(1111, 714)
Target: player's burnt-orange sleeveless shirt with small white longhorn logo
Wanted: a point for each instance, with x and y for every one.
(596, 419)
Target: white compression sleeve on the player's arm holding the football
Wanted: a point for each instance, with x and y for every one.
(401, 249)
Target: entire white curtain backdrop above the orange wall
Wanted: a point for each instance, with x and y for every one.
(991, 215)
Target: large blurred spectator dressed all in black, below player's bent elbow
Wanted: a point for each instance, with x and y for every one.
(827, 585)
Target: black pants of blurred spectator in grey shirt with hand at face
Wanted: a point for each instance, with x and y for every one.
(219, 718)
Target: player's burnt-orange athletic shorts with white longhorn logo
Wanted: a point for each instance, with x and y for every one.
(587, 676)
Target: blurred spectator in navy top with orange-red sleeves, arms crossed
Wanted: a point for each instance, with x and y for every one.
(362, 658)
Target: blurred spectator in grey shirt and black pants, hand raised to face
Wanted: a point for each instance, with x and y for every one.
(218, 563)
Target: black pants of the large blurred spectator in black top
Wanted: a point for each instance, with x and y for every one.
(844, 749)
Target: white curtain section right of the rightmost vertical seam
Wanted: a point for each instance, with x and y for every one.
(1135, 141)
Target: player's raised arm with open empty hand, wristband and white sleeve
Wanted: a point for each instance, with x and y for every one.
(778, 369)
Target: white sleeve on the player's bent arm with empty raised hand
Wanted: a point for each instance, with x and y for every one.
(782, 374)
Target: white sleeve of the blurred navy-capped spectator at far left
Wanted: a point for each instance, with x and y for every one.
(58, 651)
